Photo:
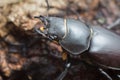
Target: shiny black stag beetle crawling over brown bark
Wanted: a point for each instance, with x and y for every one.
(101, 46)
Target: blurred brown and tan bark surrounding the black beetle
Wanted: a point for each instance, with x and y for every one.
(27, 56)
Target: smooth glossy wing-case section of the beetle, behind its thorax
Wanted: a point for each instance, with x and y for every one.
(105, 48)
